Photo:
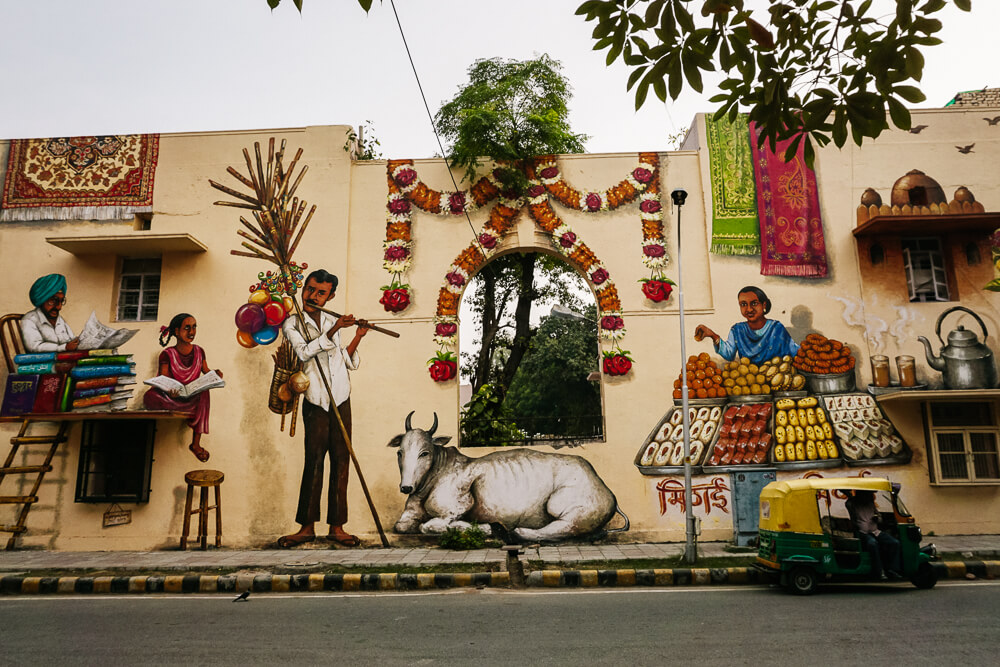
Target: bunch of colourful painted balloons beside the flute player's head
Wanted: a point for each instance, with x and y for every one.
(258, 321)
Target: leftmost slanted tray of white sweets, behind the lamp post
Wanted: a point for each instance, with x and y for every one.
(662, 453)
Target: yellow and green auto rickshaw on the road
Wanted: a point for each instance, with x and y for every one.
(807, 535)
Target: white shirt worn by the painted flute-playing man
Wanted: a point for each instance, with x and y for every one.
(331, 356)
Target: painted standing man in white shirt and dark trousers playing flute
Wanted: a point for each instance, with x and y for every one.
(326, 362)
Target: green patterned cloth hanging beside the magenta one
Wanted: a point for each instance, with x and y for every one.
(734, 203)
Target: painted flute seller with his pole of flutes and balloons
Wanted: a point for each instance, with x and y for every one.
(312, 332)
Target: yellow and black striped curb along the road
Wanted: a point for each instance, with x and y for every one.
(292, 583)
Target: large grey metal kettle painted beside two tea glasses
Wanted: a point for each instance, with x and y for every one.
(965, 363)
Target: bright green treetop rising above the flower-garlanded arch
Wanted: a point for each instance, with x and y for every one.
(509, 111)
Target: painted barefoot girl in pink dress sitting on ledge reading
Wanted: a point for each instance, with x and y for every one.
(184, 362)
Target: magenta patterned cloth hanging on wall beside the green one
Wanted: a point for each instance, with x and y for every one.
(791, 227)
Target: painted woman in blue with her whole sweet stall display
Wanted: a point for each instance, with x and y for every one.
(771, 419)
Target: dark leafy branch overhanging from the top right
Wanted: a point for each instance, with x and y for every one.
(812, 70)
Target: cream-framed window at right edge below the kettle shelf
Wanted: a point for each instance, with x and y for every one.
(963, 442)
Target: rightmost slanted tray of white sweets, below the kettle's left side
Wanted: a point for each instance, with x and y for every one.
(865, 435)
